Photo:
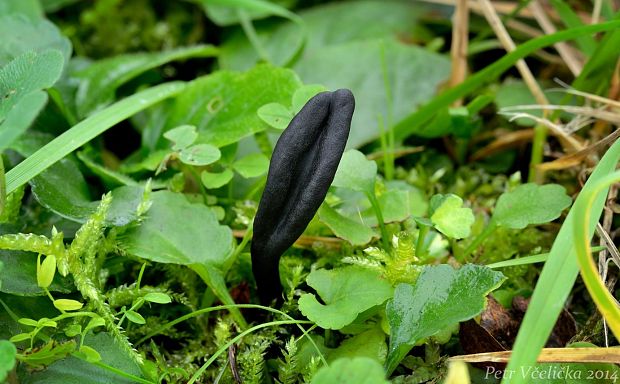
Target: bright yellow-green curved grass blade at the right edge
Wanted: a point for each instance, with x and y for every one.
(600, 294)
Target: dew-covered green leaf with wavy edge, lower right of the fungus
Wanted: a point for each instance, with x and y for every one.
(442, 296)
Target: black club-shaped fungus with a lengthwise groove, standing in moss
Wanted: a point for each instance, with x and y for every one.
(302, 168)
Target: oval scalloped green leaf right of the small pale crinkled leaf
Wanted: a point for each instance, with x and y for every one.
(530, 204)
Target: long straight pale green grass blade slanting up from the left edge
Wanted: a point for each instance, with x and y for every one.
(85, 131)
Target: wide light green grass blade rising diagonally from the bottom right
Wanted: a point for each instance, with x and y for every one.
(557, 277)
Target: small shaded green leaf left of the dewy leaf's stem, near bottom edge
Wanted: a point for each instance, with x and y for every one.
(369, 344)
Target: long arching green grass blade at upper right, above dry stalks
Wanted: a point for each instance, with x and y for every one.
(415, 122)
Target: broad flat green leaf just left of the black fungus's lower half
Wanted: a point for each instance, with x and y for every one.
(179, 232)
